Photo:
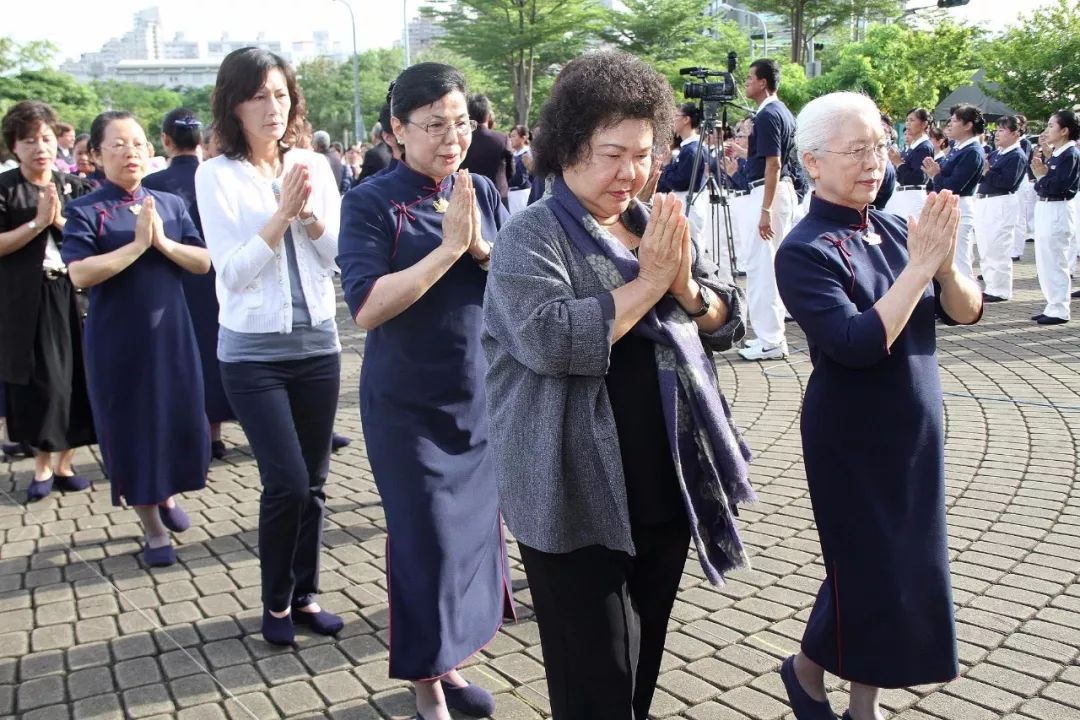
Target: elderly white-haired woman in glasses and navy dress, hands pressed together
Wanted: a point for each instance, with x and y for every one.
(867, 289)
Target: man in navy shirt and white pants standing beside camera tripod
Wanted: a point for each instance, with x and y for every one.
(769, 171)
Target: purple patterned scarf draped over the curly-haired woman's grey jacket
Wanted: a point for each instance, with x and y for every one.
(711, 458)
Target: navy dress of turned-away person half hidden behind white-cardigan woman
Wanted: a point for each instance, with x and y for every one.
(199, 291)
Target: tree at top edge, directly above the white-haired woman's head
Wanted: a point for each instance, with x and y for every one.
(809, 19)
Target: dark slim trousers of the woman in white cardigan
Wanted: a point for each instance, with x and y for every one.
(287, 410)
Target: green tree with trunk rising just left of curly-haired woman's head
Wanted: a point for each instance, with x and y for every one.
(519, 39)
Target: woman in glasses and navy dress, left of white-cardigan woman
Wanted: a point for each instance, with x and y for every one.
(132, 248)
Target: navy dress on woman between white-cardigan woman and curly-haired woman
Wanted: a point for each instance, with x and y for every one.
(423, 406)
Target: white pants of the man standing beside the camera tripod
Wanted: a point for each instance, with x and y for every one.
(764, 307)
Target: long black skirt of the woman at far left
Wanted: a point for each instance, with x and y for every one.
(51, 413)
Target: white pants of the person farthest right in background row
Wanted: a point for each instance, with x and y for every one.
(1055, 228)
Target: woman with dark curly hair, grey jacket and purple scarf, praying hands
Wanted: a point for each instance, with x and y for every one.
(601, 317)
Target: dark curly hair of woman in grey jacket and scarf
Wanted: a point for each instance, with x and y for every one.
(597, 91)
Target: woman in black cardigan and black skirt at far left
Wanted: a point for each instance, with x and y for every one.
(42, 348)
